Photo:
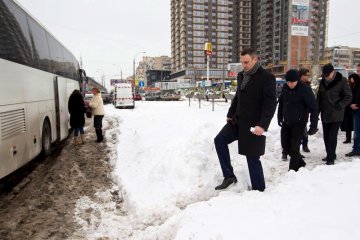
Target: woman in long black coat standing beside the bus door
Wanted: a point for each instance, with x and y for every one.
(76, 107)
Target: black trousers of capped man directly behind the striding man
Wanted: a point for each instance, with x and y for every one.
(290, 141)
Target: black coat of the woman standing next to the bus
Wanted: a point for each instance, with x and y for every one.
(76, 107)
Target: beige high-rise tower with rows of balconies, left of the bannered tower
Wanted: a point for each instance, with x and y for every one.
(224, 23)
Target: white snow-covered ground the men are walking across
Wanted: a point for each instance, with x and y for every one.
(166, 169)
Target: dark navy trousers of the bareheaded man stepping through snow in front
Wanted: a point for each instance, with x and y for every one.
(227, 135)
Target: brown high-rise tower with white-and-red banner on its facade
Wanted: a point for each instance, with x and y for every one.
(290, 34)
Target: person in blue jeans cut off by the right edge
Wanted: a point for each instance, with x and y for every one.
(354, 106)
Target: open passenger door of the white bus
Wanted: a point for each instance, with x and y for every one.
(61, 102)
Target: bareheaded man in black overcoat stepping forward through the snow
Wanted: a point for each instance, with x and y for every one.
(253, 106)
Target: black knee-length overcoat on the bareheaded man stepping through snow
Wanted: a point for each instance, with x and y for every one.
(253, 106)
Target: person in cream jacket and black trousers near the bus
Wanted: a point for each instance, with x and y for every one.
(98, 112)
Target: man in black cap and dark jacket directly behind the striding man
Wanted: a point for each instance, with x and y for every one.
(295, 103)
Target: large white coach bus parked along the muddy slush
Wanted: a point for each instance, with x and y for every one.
(37, 76)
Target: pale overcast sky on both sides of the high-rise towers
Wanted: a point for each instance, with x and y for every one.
(109, 34)
